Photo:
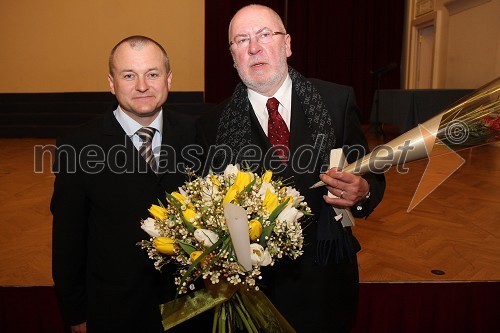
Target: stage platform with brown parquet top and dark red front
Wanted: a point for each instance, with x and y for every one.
(434, 269)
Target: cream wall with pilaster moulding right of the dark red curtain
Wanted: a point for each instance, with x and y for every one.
(467, 42)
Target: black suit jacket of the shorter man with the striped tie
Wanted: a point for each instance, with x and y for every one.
(103, 189)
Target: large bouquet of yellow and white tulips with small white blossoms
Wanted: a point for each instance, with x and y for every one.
(222, 228)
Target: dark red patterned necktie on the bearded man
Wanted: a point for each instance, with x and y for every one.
(277, 131)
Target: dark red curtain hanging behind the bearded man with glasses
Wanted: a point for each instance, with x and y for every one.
(335, 40)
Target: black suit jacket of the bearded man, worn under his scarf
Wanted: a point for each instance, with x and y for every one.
(312, 298)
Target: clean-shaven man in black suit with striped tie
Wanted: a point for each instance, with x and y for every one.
(103, 188)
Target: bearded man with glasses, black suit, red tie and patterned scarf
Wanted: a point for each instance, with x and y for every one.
(318, 291)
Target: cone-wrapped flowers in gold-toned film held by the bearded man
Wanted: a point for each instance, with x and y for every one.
(471, 121)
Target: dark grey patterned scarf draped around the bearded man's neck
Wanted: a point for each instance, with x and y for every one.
(235, 131)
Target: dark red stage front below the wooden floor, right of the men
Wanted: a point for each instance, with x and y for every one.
(431, 307)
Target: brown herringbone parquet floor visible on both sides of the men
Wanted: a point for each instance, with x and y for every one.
(455, 231)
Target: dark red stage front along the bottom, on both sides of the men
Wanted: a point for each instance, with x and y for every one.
(460, 307)
